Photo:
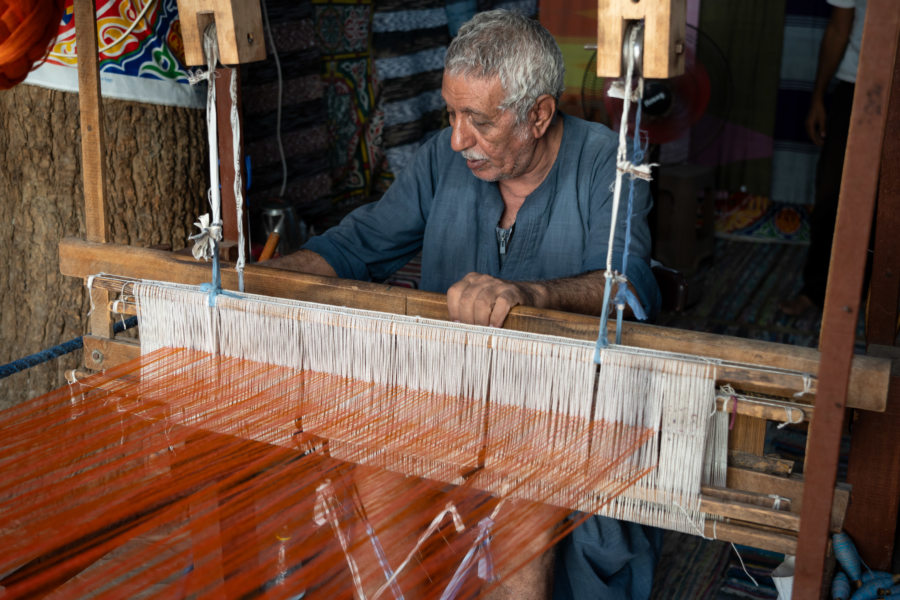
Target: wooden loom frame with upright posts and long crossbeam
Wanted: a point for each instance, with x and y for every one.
(745, 506)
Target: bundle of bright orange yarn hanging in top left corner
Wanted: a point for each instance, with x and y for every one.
(27, 29)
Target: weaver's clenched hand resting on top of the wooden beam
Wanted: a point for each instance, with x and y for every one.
(484, 300)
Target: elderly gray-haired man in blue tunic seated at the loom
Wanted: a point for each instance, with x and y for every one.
(510, 205)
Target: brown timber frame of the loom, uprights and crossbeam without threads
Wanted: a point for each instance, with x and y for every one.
(853, 381)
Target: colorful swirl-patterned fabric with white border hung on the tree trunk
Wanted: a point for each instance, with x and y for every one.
(141, 54)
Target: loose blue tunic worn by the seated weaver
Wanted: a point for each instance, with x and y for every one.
(438, 206)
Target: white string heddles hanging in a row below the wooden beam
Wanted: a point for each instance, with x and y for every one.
(553, 378)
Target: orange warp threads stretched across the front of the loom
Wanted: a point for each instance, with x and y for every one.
(181, 474)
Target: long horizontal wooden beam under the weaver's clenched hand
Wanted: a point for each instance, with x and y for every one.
(82, 259)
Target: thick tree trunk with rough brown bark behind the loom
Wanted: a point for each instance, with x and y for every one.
(155, 160)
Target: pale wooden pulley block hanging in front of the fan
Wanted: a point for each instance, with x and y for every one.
(664, 36)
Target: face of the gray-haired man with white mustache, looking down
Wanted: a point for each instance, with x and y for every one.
(493, 145)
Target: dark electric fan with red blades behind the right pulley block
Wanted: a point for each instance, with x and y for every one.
(690, 108)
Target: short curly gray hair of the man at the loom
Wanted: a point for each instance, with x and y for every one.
(514, 47)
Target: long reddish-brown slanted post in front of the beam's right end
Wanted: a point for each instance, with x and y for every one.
(845, 278)
